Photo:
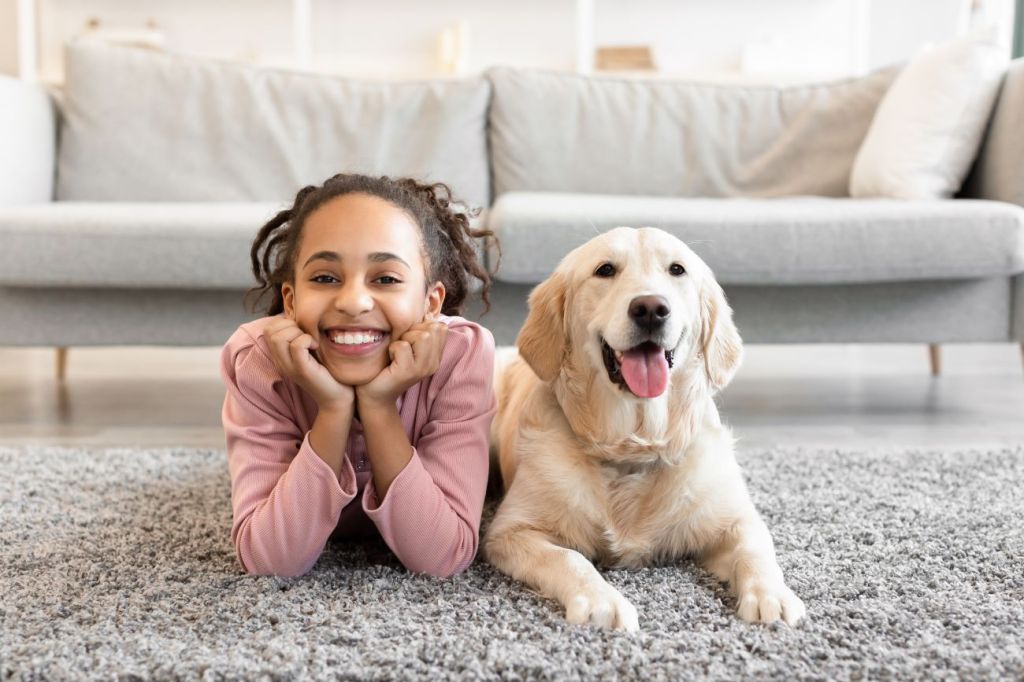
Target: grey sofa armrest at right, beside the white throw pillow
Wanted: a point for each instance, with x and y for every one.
(999, 172)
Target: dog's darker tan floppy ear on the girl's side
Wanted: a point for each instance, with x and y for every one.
(543, 338)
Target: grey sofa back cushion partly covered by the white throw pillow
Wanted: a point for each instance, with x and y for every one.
(564, 133)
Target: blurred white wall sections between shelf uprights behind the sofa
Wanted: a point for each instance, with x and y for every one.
(698, 38)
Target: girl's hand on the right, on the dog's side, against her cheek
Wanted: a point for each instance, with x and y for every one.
(416, 356)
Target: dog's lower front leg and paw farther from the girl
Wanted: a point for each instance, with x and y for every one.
(745, 558)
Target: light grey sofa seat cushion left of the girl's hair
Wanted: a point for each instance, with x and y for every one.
(124, 245)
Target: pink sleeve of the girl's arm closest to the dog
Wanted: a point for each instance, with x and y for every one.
(431, 518)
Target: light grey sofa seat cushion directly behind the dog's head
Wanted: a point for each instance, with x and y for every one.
(790, 241)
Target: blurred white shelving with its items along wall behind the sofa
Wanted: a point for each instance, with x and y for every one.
(729, 40)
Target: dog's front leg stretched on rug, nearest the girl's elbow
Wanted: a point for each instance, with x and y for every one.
(564, 575)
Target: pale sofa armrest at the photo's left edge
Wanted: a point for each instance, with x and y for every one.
(28, 138)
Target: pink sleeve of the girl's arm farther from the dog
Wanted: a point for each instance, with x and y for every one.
(286, 500)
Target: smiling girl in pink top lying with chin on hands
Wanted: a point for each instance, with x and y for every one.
(362, 401)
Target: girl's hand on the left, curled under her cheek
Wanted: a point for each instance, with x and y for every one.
(291, 351)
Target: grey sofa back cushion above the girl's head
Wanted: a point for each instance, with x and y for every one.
(141, 125)
